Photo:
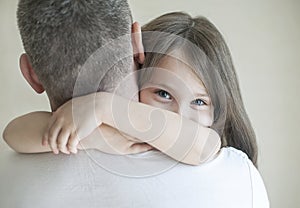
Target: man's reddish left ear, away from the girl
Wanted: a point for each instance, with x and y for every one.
(29, 74)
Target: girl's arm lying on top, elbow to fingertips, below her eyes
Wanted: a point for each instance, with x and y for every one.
(176, 136)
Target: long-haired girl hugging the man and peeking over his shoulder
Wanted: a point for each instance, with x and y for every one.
(205, 91)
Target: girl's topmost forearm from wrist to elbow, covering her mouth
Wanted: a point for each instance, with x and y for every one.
(178, 137)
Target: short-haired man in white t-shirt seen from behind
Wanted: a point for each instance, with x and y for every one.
(91, 178)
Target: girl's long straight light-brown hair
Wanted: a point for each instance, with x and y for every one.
(205, 50)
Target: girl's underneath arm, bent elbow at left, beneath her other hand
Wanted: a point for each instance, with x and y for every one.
(24, 135)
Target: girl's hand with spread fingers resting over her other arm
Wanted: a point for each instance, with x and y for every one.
(70, 123)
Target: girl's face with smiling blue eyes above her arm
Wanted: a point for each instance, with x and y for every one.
(174, 87)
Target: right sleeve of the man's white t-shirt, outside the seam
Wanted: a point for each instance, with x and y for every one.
(259, 193)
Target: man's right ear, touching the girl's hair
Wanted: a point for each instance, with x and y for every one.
(138, 48)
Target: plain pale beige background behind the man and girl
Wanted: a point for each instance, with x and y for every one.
(263, 37)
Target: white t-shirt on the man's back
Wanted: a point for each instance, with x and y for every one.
(150, 179)
